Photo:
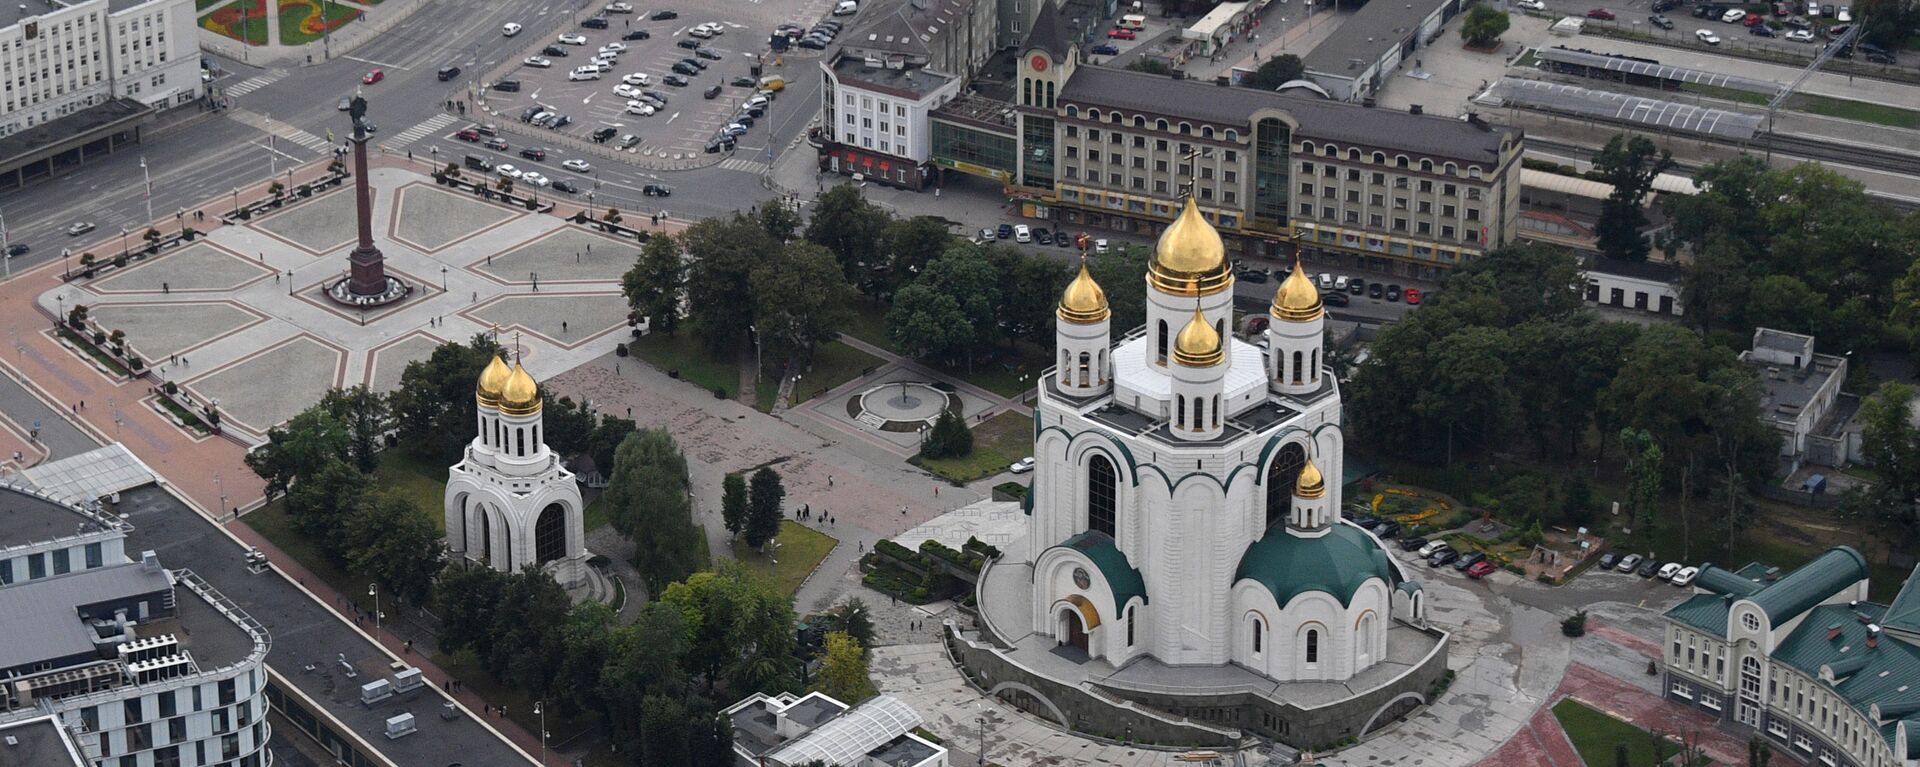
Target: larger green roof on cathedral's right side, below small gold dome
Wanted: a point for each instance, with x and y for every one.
(1337, 564)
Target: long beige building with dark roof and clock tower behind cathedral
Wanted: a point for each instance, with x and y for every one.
(1113, 149)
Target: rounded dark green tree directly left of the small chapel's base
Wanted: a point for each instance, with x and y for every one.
(395, 543)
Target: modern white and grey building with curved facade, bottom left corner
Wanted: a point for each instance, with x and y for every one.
(143, 666)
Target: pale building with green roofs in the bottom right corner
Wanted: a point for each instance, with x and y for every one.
(1802, 658)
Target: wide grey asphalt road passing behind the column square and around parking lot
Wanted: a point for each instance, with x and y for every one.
(285, 116)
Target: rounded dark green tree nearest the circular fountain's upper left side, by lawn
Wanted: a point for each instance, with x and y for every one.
(800, 303)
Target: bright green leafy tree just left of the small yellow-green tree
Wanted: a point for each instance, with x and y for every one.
(742, 630)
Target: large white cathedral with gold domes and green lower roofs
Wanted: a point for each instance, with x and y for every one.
(1186, 505)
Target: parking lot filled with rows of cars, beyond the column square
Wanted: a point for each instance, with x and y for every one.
(686, 122)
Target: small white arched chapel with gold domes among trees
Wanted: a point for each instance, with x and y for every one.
(510, 501)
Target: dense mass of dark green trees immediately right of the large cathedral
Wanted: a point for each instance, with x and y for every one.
(1504, 360)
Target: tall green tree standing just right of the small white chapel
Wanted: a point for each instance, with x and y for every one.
(648, 503)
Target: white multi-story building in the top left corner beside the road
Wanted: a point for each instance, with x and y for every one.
(82, 74)
